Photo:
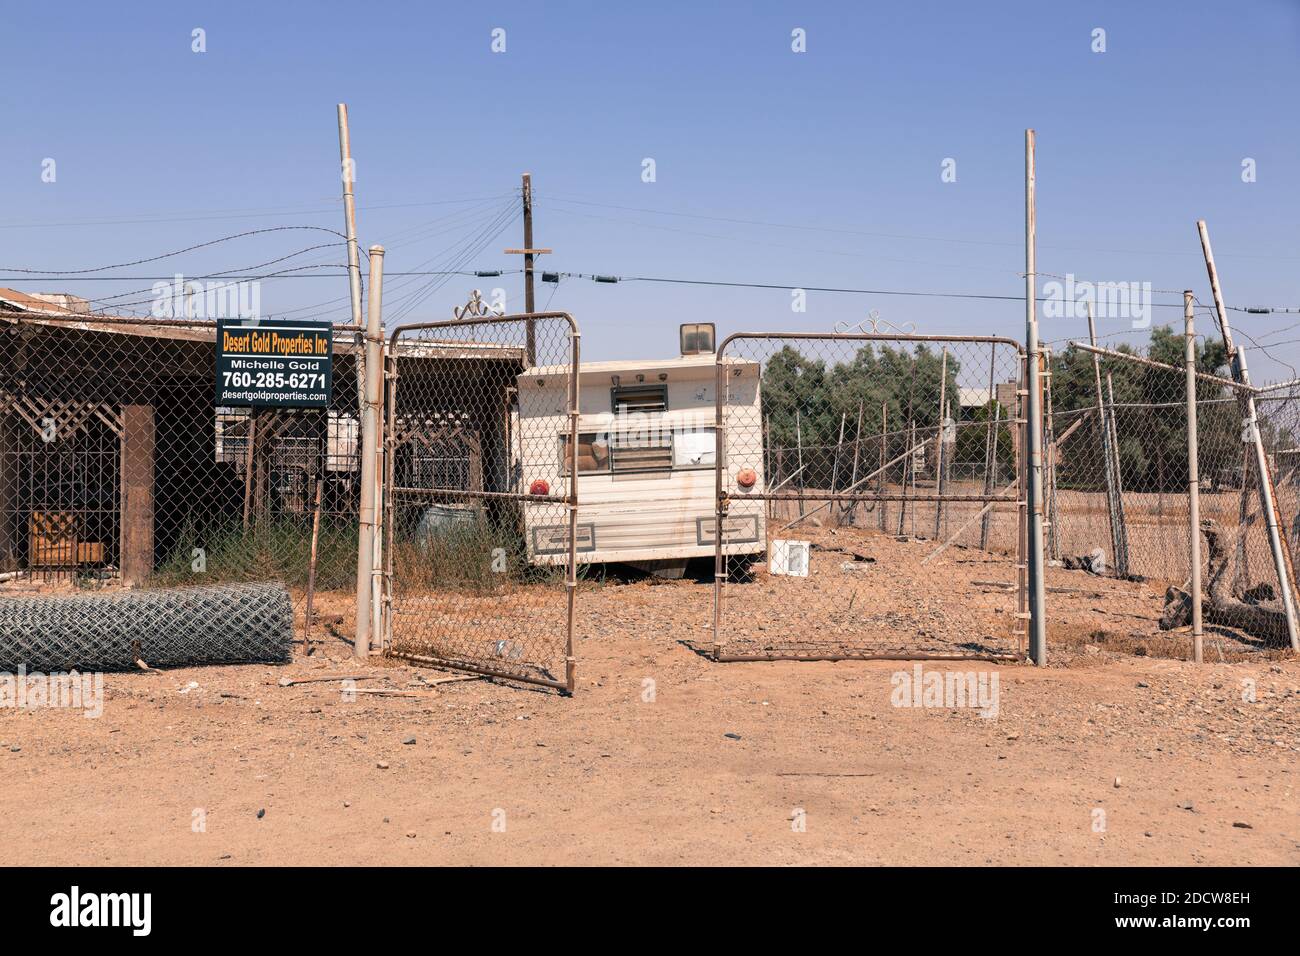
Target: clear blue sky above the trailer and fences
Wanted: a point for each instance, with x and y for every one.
(817, 170)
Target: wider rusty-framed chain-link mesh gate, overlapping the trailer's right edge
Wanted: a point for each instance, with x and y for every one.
(882, 477)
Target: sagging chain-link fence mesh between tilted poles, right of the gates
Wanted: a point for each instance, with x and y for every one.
(1116, 475)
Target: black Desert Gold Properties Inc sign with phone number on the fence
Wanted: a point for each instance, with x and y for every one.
(276, 365)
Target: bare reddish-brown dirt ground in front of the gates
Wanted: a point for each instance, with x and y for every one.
(1115, 755)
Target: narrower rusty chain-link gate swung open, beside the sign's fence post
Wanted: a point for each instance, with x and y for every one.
(482, 513)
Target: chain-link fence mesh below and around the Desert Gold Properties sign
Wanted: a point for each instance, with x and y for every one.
(119, 470)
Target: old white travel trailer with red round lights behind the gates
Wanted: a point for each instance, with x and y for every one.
(647, 458)
